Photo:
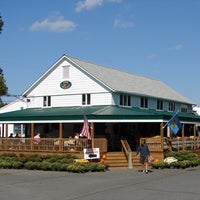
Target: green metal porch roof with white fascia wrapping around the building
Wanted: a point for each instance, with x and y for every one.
(93, 113)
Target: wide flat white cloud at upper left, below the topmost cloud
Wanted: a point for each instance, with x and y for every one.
(53, 24)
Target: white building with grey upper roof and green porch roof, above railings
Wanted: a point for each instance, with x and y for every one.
(118, 104)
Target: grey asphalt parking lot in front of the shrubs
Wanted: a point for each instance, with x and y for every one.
(116, 184)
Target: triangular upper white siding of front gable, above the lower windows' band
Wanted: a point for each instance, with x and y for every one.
(81, 83)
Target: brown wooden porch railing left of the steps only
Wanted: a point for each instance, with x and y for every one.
(51, 144)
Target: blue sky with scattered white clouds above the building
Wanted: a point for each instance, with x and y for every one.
(152, 38)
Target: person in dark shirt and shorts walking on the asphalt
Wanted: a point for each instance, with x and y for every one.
(144, 153)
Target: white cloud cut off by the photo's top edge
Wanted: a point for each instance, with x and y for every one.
(88, 4)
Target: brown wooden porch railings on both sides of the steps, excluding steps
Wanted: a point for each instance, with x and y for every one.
(59, 145)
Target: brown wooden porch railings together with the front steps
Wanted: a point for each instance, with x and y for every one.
(158, 147)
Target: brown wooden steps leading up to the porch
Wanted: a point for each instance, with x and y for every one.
(118, 160)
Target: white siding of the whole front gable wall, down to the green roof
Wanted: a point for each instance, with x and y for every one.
(81, 84)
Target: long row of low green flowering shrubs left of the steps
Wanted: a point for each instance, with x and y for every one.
(52, 162)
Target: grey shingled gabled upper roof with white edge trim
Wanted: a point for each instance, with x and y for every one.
(119, 81)
